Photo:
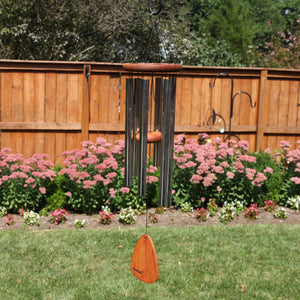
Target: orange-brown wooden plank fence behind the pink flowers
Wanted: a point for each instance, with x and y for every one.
(50, 107)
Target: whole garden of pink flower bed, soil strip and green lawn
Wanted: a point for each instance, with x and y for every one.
(68, 231)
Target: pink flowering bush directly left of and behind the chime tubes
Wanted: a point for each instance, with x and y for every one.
(94, 177)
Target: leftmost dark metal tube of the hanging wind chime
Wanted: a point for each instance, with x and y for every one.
(129, 132)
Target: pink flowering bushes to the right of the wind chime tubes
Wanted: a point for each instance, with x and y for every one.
(229, 171)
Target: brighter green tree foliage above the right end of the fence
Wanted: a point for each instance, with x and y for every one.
(243, 23)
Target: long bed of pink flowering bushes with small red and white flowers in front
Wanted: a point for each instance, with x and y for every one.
(211, 178)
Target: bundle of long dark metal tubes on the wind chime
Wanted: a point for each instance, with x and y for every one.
(137, 109)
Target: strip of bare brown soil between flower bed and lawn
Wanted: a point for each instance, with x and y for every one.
(170, 217)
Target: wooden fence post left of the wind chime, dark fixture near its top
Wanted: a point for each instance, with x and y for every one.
(85, 118)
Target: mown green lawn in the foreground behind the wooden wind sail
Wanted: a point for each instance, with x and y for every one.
(200, 262)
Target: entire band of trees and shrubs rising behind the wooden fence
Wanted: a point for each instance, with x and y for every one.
(194, 32)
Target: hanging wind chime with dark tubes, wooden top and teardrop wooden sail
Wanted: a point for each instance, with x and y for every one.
(142, 134)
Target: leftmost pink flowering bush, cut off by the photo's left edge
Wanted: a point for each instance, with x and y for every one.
(24, 182)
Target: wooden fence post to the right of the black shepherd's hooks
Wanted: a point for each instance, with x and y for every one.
(260, 110)
